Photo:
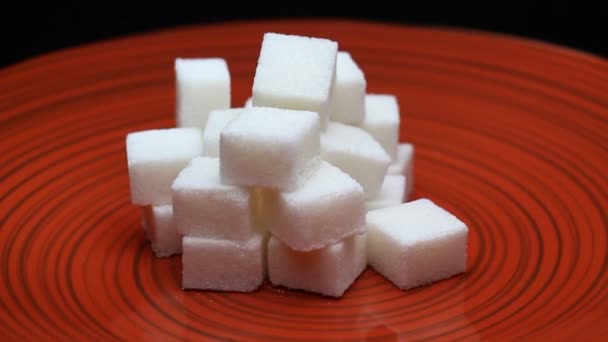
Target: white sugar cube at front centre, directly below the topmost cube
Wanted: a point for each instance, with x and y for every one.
(269, 147)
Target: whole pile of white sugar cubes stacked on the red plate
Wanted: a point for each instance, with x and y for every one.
(304, 186)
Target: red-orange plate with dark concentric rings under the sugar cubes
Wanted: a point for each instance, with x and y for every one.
(510, 135)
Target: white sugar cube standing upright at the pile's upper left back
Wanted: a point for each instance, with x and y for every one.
(202, 85)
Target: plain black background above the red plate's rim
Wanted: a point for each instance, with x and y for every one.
(31, 28)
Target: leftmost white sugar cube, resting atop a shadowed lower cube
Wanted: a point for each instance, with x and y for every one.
(155, 157)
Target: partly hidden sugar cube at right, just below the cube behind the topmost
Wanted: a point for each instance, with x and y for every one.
(382, 121)
